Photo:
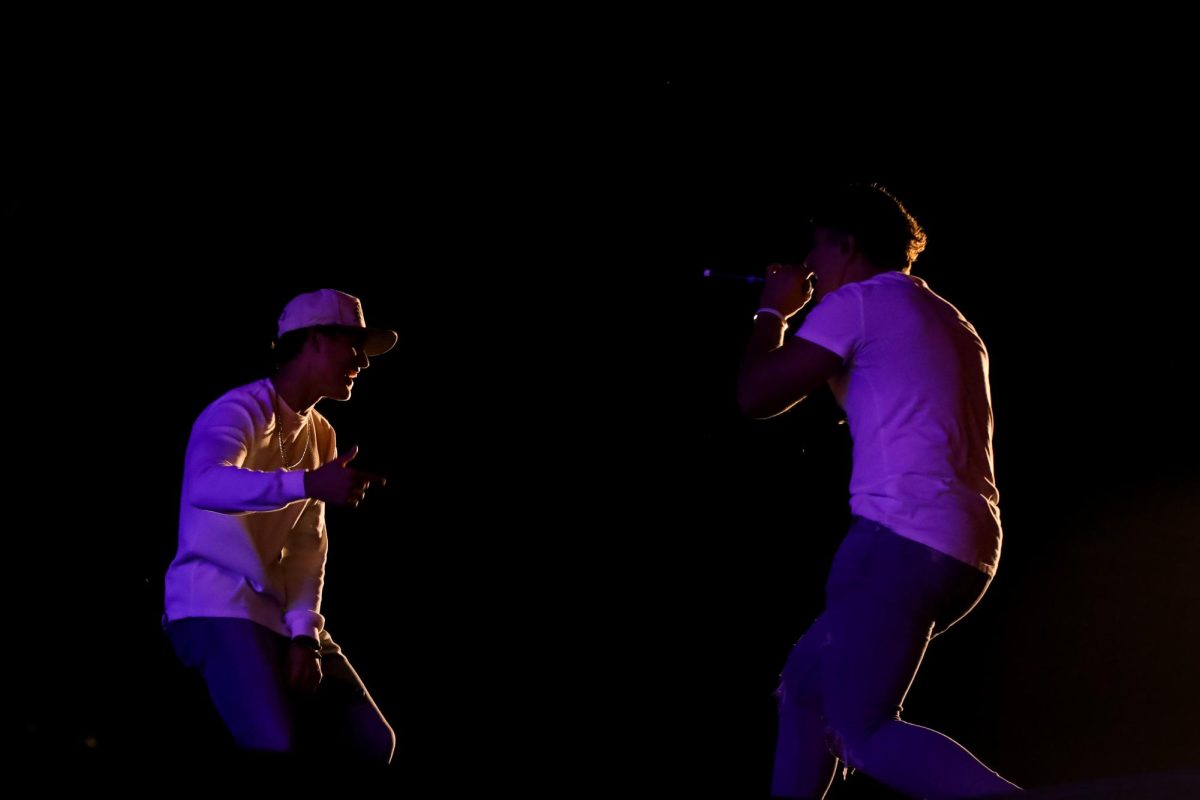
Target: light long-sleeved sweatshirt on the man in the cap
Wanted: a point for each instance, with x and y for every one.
(251, 545)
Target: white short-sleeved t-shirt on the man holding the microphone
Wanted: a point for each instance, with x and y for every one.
(915, 390)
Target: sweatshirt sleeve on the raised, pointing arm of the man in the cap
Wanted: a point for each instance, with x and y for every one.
(214, 479)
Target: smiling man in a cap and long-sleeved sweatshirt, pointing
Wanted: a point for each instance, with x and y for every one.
(243, 594)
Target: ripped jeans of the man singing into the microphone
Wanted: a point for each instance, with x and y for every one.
(844, 684)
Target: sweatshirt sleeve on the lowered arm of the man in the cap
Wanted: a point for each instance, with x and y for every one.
(304, 567)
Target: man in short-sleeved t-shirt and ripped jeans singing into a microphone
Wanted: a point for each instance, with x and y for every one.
(925, 539)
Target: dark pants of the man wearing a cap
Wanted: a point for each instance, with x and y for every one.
(245, 669)
